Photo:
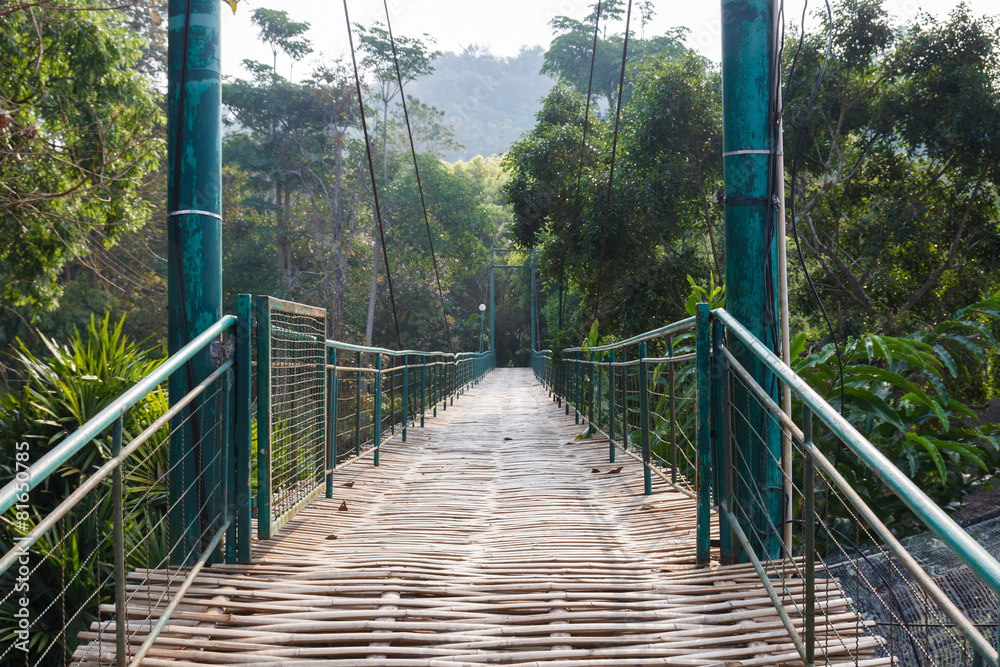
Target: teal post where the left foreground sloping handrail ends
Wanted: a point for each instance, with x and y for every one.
(244, 436)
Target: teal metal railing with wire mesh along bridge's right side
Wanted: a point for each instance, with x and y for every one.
(847, 589)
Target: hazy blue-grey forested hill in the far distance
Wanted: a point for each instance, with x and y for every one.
(489, 100)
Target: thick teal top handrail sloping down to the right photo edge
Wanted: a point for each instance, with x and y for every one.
(961, 543)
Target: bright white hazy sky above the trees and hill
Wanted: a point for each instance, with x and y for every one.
(502, 25)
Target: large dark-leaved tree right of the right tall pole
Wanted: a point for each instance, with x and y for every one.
(897, 176)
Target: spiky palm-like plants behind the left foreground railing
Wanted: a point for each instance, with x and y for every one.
(60, 393)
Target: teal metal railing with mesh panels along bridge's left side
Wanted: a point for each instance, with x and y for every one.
(103, 535)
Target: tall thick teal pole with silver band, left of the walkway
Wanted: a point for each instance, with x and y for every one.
(194, 249)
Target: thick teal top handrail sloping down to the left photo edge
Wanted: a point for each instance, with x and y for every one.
(52, 460)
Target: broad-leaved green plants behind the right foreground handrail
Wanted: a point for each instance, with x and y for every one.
(895, 393)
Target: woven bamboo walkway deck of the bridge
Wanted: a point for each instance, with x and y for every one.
(491, 537)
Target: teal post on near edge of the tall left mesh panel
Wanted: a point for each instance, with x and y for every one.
(263, 418)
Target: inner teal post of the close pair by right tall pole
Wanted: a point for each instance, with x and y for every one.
(704, 437)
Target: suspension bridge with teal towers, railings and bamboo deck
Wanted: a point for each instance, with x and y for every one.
(658, 501)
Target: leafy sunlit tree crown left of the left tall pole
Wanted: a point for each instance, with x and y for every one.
(78, 137)
